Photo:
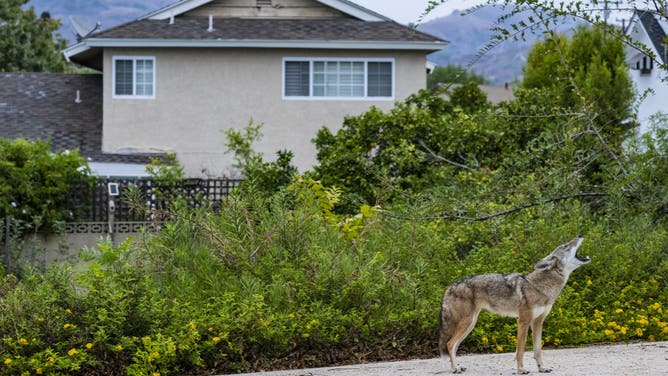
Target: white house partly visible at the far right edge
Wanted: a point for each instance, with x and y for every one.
(648, 77)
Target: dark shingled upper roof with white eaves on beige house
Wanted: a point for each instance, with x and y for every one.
(161, 29)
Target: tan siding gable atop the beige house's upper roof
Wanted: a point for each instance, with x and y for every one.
(265, 9)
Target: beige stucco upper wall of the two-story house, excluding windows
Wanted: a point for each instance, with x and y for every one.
(200, 92)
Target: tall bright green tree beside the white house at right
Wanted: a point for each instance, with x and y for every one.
(587, 70)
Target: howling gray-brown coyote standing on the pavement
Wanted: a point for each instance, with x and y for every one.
(529, 297)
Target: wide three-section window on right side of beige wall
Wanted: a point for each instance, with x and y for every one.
(332, 78)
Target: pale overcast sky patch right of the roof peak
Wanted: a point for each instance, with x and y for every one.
(407, 11)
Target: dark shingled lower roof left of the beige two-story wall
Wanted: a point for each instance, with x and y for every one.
(44, 106)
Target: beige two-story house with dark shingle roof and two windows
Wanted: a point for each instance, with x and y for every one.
(175, 79)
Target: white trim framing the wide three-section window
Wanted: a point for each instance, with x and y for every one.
(311, 60)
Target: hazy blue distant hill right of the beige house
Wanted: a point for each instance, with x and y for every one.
(470, 33)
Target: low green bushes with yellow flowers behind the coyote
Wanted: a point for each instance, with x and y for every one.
(276, 282)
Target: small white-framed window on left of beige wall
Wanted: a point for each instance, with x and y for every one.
(134, 77)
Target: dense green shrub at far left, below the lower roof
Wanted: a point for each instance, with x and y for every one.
(35, 183)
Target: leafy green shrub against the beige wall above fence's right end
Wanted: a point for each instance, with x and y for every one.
(261, 176)
